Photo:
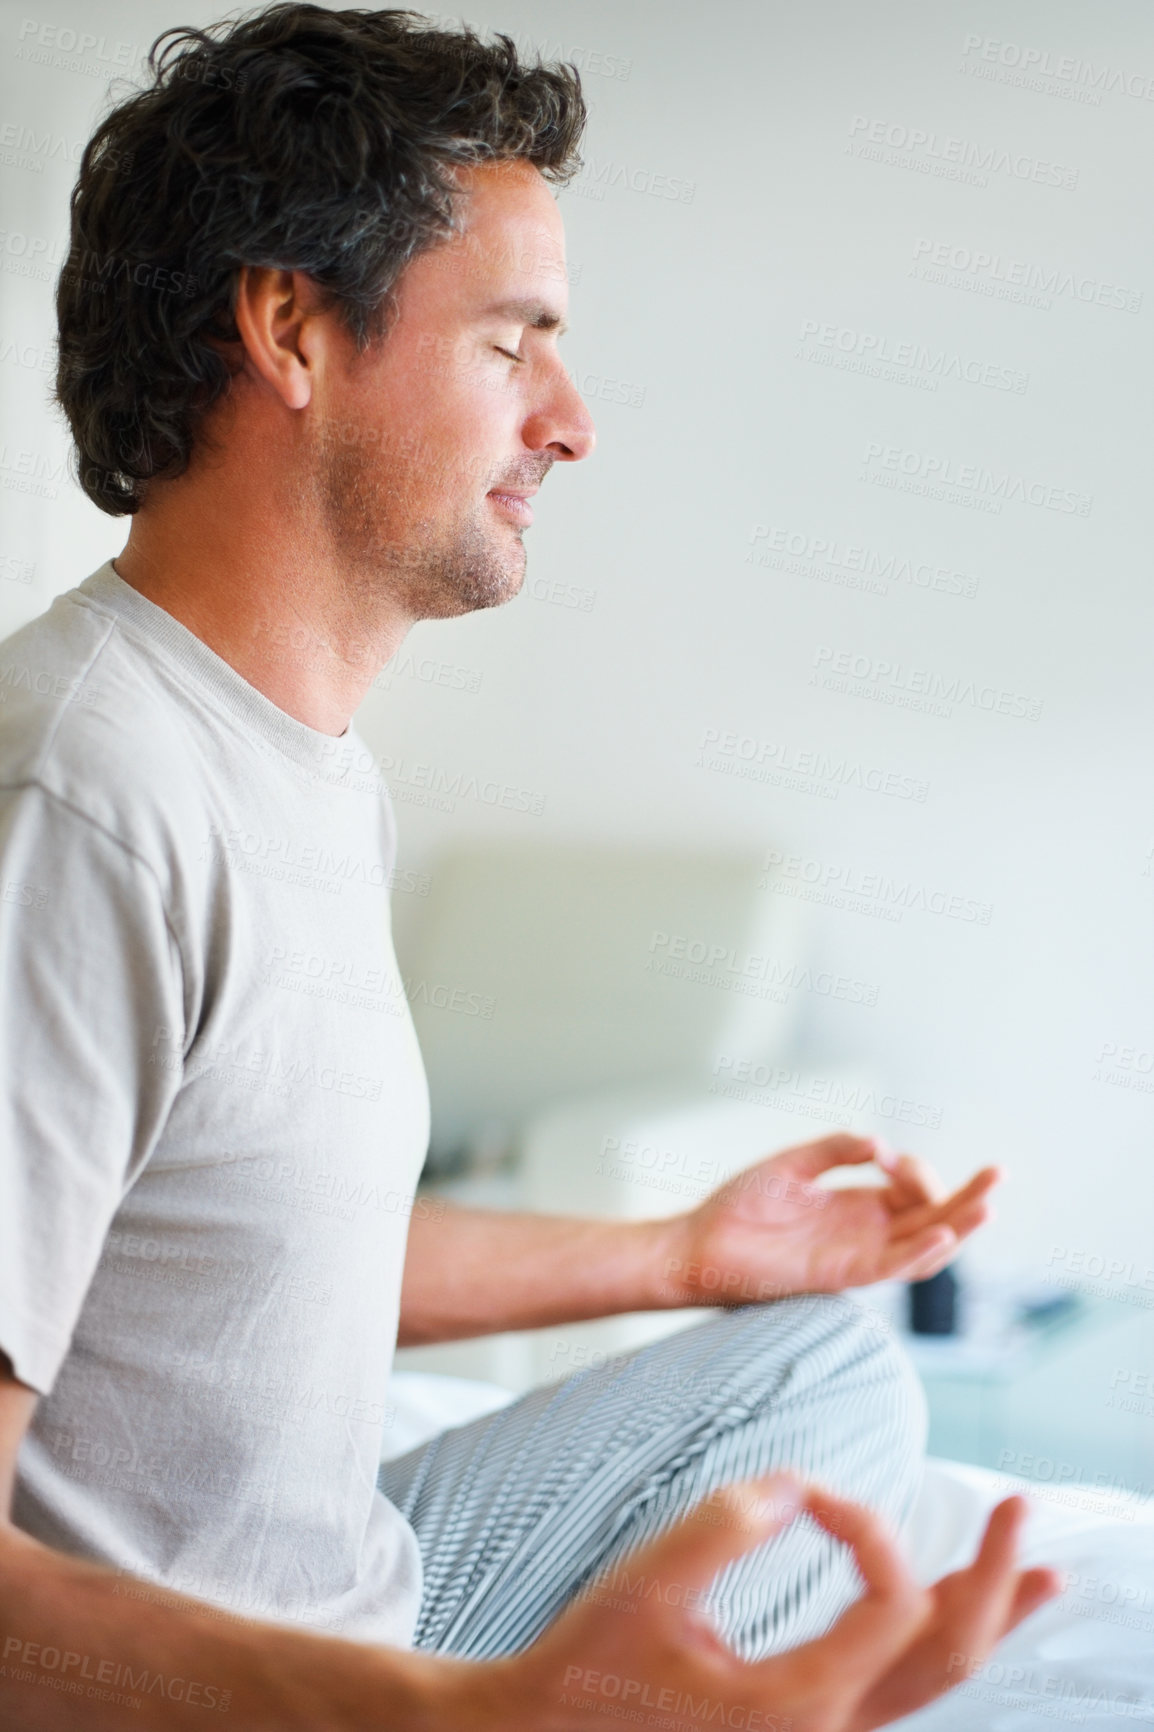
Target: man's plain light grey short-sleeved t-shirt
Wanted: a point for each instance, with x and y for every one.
(212, 1121)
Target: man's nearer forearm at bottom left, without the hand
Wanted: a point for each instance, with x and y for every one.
(81, 1645)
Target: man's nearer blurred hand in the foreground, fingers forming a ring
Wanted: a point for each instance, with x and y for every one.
(639, 1638)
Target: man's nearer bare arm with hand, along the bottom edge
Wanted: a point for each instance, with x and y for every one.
(74, 1648)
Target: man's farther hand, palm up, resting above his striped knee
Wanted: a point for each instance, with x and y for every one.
(772, 1232)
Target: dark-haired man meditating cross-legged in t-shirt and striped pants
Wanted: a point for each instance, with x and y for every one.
(309, 344)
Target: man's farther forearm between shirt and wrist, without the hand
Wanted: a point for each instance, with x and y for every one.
(477, 1272)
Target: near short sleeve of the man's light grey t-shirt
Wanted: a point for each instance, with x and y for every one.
(91, 1014)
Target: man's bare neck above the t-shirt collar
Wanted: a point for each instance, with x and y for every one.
(266, 595)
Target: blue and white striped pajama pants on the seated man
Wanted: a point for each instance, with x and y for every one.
(517, 1511)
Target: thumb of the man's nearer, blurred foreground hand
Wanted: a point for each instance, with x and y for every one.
(684, 1560)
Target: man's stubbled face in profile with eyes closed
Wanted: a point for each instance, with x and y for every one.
(412, 444)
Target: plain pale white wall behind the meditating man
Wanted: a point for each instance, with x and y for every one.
(746, 434)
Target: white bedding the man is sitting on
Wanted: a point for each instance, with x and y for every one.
(1086, 1660)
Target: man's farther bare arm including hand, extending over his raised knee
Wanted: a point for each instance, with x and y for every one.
(765, 1234)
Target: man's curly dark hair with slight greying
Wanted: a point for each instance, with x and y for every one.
(292, 138)
